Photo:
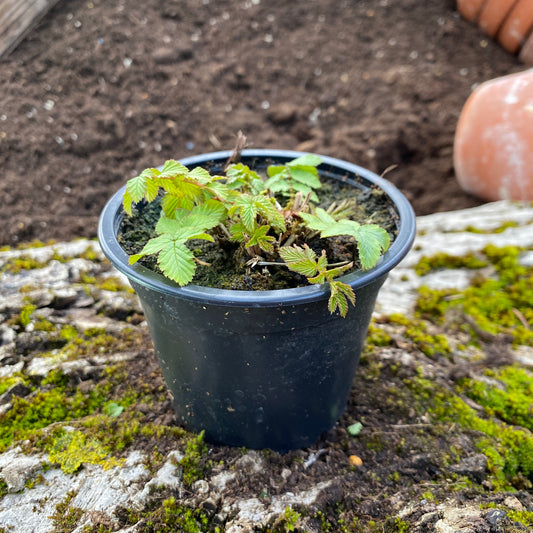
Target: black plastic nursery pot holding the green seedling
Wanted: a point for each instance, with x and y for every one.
(269, 369)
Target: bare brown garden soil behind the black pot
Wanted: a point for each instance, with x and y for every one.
(101, 90)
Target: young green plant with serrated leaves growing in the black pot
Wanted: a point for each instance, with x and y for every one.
(241, 206)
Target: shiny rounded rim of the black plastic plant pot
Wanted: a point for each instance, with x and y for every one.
(111, 215)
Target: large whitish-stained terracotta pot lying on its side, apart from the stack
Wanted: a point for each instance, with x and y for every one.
(493, 149)
